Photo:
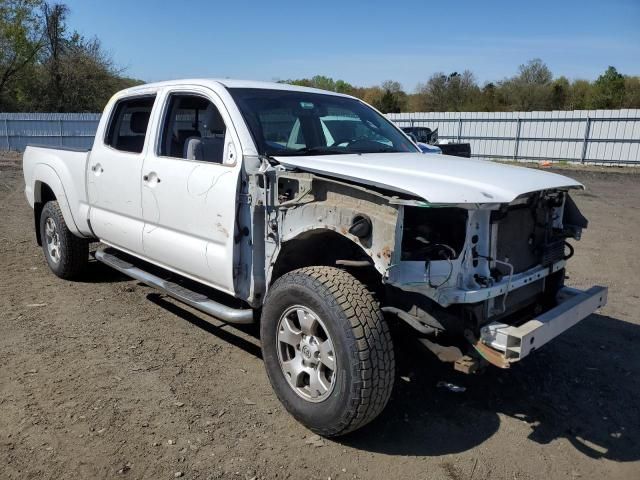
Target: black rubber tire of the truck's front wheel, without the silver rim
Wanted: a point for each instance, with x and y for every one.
(365, 363)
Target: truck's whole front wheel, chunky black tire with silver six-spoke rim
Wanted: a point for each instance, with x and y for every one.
(327, 349)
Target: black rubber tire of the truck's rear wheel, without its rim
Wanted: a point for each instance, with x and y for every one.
(73, 252)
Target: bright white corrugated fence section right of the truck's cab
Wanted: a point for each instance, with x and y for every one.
(608, 137)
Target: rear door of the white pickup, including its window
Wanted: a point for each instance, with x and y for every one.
(114, 174)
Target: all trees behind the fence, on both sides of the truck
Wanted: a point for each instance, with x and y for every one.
(46, 66)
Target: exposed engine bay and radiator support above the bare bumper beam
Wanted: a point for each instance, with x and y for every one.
(494, 259)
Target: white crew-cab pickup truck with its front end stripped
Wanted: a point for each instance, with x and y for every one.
(312, 214)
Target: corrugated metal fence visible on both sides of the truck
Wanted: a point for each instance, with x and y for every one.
(586, 136)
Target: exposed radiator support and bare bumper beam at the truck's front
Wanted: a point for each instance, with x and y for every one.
(493, 272)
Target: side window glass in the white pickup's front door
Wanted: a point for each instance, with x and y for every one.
(193, 129)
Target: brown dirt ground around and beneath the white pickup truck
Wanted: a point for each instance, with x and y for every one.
(104, 378)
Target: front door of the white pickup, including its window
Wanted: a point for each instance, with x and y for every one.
(189, 189)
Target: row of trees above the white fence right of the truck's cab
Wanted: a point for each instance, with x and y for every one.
(533, 87)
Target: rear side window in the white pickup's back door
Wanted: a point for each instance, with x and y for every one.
(129, 124)
